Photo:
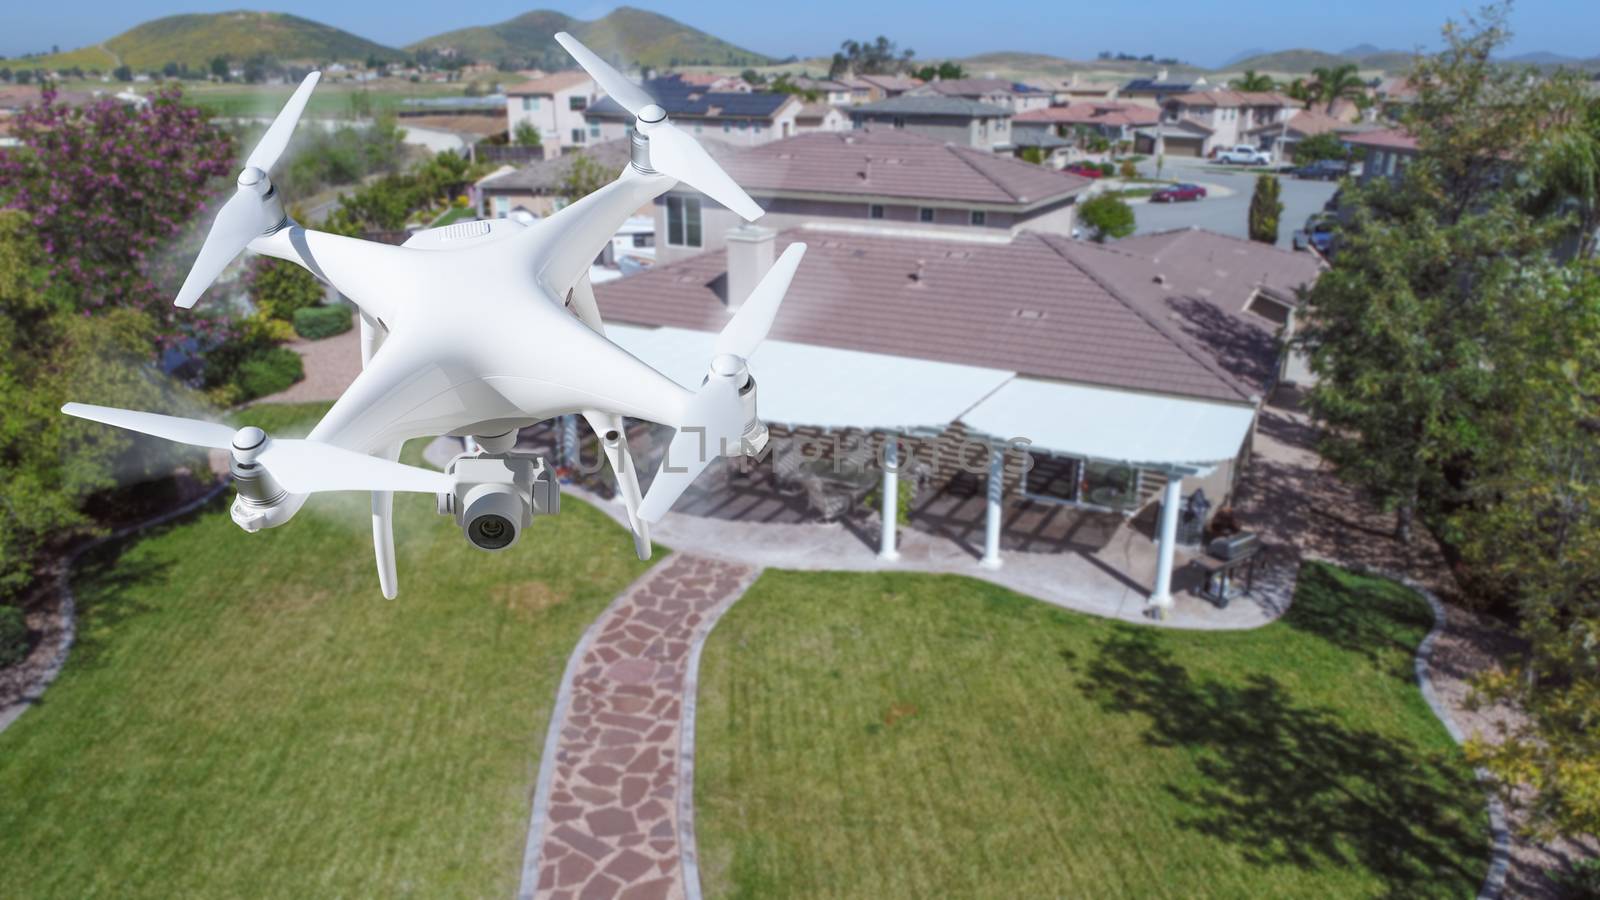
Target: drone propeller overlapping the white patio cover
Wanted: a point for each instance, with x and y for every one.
(716, 419)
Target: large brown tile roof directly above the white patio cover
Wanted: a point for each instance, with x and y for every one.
(1039, 305)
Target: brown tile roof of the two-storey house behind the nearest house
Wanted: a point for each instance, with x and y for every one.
(897, 164)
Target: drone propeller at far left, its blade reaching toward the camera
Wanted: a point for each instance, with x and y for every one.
(302, 467)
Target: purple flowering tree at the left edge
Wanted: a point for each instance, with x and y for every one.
(111, 188)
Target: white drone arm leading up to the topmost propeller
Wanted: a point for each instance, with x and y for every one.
(567, 244)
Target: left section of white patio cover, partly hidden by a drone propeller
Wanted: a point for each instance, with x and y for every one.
(826, 387)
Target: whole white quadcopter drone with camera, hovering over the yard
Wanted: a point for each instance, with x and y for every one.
(478, 331)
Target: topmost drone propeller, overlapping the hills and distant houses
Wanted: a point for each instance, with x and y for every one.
(673, 153)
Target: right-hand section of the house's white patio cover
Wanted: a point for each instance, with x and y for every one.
(1116, 427)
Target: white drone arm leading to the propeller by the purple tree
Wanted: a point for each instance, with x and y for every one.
(366, 271)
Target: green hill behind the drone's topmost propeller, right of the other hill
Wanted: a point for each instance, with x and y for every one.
(626, 34)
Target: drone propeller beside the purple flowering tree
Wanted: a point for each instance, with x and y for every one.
(255, 209)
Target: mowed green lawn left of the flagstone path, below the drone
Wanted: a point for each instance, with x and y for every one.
(247, 717)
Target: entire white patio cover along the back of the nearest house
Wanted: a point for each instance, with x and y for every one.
(836, 388)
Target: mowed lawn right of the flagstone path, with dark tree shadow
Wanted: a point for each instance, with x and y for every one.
(910, 736)
